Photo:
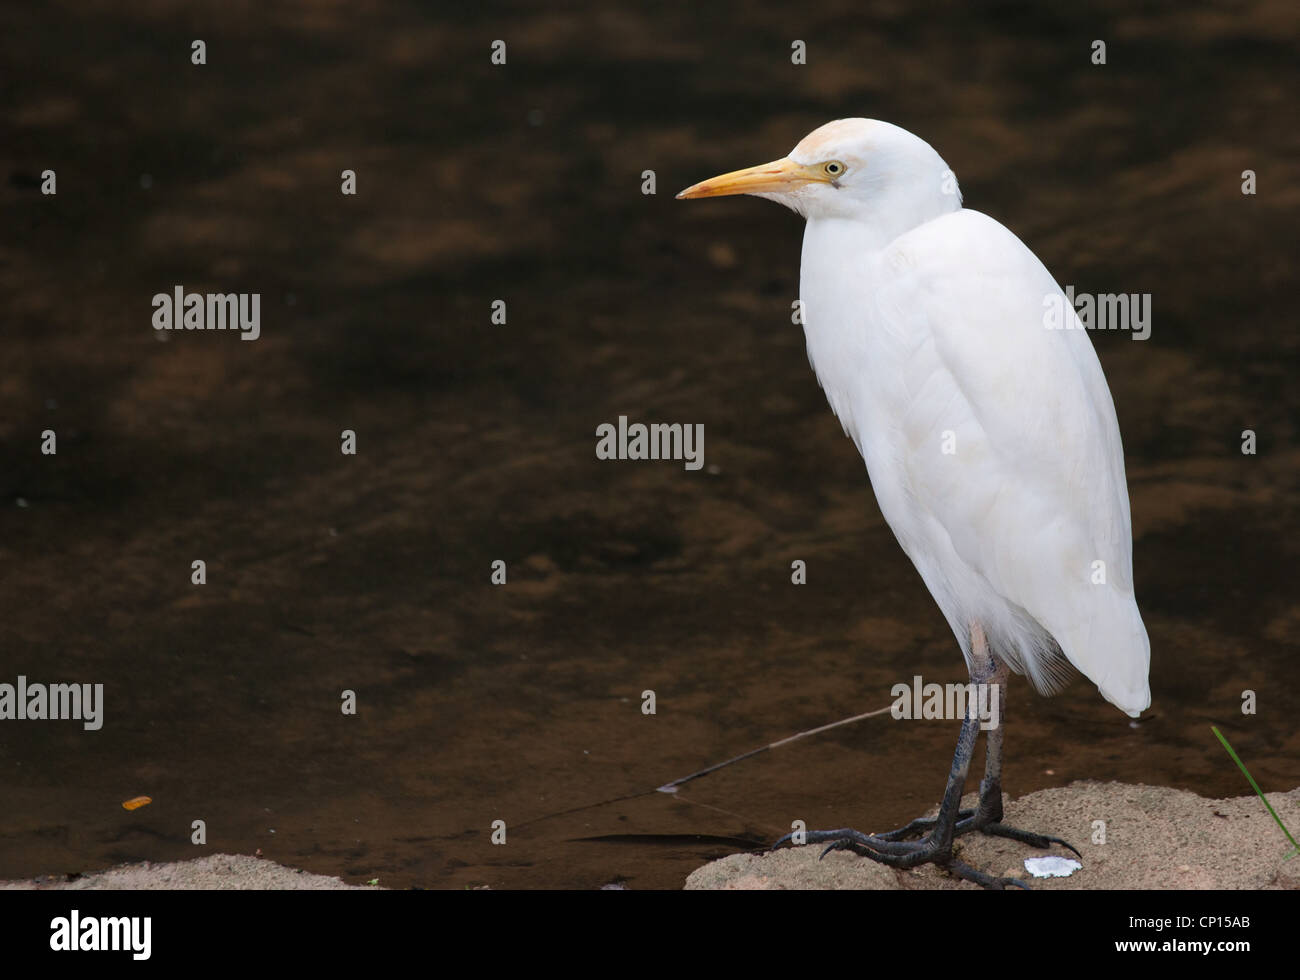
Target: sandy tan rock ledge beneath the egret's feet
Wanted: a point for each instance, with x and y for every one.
(1155, 838)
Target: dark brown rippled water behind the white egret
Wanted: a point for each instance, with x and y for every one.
(371, 573)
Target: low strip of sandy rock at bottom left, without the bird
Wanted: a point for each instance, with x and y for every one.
(216, 871)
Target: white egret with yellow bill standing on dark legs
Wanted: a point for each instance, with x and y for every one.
(989, 433)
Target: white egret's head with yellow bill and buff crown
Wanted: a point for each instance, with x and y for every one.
(860, 170)
